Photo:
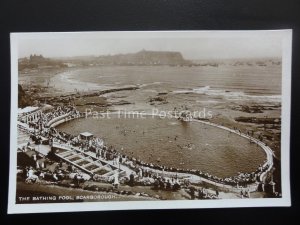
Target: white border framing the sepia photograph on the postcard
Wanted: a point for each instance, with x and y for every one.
(169, 204)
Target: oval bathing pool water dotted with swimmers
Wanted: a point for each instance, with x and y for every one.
(173, 143)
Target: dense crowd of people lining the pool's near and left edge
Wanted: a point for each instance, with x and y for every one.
(144, 172)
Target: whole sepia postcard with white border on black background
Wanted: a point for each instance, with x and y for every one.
(149, 120)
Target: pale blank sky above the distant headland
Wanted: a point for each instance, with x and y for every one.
(192, 45)
